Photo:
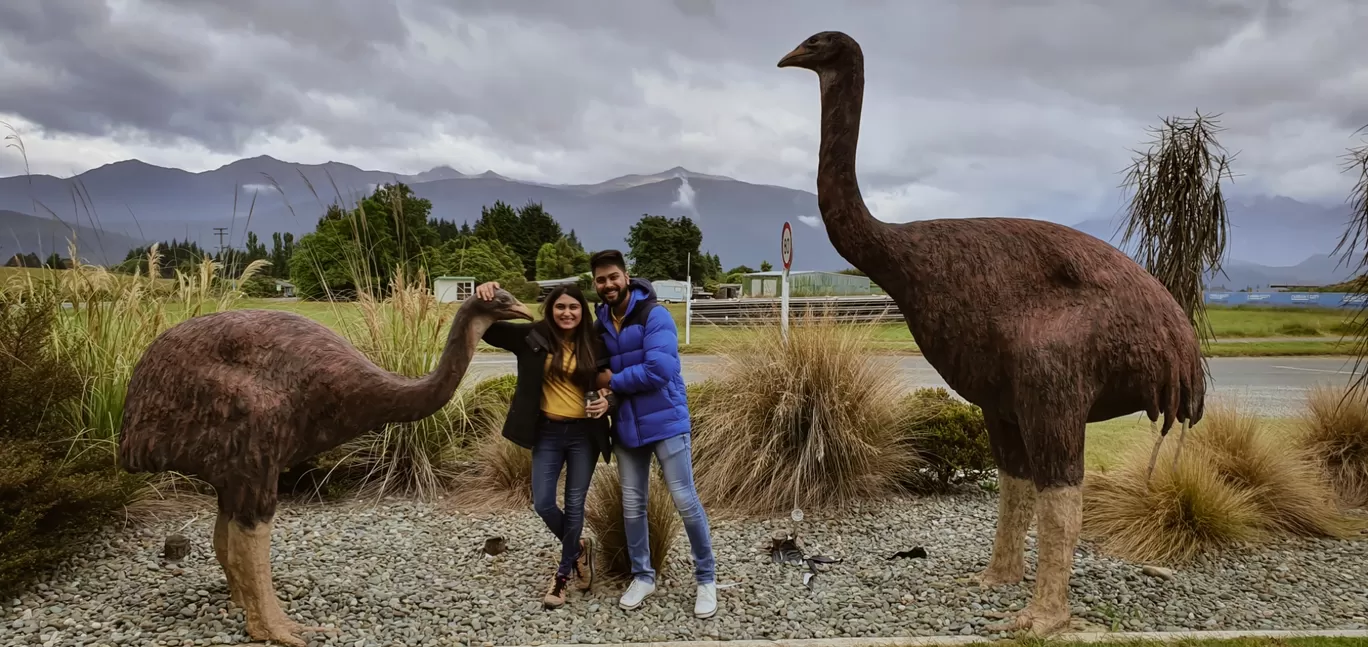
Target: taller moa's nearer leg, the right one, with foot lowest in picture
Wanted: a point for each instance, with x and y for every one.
(1055, 447)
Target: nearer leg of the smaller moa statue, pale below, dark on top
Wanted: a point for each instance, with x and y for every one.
(251, 514)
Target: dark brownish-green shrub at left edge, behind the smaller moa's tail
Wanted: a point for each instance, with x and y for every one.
(54, 496)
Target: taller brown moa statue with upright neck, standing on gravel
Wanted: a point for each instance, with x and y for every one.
(1042, 326)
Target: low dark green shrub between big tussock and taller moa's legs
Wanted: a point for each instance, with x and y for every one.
(950, 437)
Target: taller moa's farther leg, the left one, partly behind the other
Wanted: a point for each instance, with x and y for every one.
(1016, 505)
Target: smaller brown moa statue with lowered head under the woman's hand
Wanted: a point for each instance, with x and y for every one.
(236, 397)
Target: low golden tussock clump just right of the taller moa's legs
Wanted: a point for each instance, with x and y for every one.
(1184, 512)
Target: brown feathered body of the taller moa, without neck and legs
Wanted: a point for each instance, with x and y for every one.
(1002, 306)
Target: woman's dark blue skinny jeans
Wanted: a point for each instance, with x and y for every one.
(568, 445)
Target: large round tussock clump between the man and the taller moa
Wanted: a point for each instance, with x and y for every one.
(812, 422)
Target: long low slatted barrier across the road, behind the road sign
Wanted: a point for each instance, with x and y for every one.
(759, 311)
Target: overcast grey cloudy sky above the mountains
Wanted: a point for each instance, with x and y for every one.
(972, 107)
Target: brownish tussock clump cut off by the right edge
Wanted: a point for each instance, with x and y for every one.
(1334, 433)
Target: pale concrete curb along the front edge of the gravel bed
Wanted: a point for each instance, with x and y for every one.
(960, 641)
